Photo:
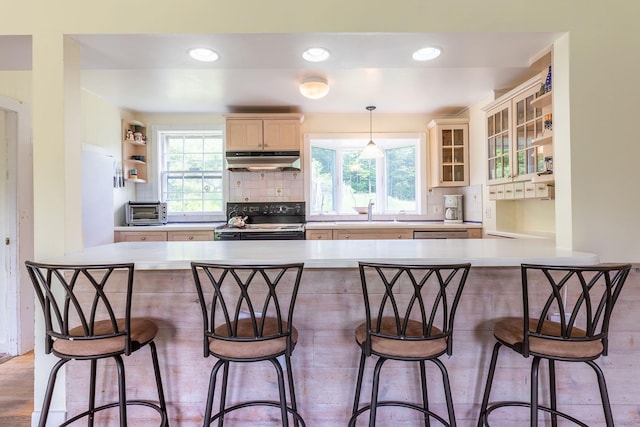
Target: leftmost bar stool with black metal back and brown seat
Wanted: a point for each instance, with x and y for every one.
(87, 316)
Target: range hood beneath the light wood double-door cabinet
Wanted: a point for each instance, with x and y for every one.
(263, 160)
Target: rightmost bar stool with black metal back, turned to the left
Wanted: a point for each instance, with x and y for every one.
(566, 319)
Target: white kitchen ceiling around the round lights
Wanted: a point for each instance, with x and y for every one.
(154, 73)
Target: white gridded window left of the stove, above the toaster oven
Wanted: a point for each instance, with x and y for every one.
(191, 172)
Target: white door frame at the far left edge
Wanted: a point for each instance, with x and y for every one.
(19, 329)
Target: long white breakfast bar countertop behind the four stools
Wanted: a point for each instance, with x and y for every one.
(330, 253)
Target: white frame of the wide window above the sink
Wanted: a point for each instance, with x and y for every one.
(362, 139)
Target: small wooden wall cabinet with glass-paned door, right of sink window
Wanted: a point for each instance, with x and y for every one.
(449, 153)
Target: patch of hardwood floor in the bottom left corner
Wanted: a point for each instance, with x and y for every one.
(16, 391)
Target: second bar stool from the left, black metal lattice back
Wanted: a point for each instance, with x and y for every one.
(247, 312)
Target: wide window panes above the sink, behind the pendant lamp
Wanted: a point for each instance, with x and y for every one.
(341, 180)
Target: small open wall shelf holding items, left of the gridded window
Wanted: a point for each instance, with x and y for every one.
(134, 150)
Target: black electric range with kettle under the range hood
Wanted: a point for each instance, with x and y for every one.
(265, 221)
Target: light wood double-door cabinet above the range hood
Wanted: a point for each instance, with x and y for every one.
(263, 132)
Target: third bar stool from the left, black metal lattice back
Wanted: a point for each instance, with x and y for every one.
(410, 311)
